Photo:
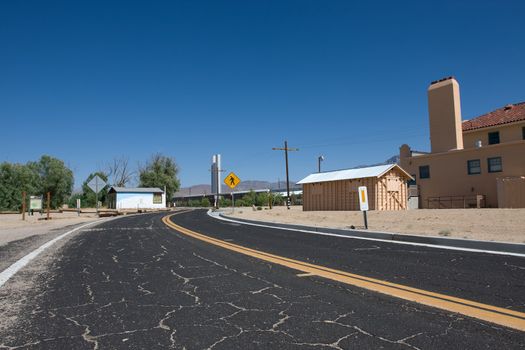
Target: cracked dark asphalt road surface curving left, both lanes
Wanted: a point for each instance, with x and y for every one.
(134, 283)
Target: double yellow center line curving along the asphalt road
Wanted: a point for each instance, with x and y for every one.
(494, 314)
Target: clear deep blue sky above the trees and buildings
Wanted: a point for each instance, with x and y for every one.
(87, 81)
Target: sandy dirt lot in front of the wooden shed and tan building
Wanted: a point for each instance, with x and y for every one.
(506, 225)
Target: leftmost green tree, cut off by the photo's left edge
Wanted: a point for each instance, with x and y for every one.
(15, 179)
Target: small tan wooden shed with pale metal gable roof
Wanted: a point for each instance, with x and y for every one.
(337, 190)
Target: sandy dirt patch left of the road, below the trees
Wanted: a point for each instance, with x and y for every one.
(13, 228)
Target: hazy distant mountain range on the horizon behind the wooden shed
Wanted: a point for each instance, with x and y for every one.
(260, 185)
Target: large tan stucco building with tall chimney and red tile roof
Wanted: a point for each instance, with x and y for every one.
(477, 162)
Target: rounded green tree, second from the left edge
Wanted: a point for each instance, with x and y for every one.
(55, 178)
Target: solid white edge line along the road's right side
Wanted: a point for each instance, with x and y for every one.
(217, 216)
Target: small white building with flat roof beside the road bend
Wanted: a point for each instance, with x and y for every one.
(136, 198)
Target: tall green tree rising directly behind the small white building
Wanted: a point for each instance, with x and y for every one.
(160, 171)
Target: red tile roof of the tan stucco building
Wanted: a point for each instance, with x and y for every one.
(508, 114)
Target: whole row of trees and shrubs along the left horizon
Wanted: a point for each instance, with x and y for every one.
(50, 174)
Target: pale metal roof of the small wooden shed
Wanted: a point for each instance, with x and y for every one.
(349, 174)
